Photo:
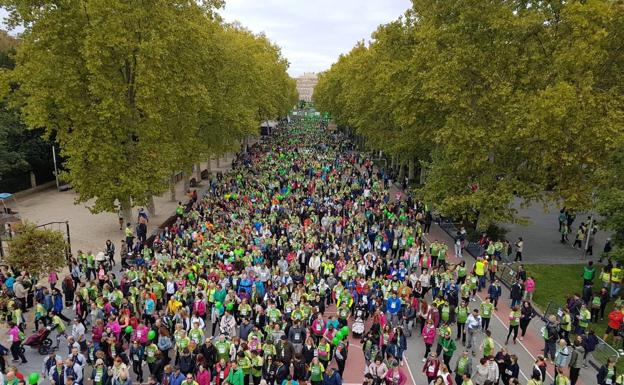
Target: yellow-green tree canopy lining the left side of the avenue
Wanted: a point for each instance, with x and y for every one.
(135, 91)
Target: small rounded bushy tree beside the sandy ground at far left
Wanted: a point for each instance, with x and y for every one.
(37, 250)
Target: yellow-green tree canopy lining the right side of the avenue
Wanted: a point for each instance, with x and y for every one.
(498, 101)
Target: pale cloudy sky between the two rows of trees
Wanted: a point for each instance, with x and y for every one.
(313, 33)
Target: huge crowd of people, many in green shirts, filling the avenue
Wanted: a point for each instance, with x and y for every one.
(266, 278)
